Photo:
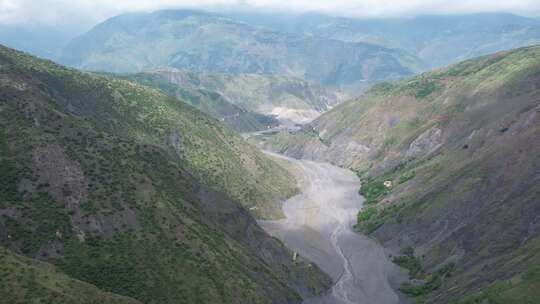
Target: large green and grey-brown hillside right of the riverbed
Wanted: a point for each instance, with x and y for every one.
(460, 148)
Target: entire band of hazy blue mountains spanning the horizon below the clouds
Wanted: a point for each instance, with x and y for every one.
(347, 53)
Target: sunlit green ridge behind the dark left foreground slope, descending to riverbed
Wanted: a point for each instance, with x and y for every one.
(213, 152)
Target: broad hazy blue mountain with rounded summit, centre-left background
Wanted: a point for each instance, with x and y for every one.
(205, 42)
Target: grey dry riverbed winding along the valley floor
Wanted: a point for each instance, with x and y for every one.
(318, 225)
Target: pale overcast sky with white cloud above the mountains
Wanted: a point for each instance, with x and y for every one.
(89, 12)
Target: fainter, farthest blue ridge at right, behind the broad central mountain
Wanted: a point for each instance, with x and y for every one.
(438, 40)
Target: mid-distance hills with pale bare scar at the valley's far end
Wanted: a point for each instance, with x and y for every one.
(289, 99)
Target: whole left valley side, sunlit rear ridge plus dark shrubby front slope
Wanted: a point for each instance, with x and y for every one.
(94, 181)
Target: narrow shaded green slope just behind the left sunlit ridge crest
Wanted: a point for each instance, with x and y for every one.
(209, 102)
